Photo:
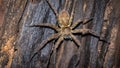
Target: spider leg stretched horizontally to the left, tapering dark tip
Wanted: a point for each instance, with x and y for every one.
(46, 25)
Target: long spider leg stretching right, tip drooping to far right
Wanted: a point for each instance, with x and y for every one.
(88, 31)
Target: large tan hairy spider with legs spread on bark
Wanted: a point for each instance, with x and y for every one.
(65, 29)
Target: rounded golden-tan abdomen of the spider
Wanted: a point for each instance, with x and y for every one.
(63, 19)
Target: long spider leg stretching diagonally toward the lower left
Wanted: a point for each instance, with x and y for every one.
(44, 43)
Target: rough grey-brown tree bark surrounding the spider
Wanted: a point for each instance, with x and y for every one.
(18, 41)
